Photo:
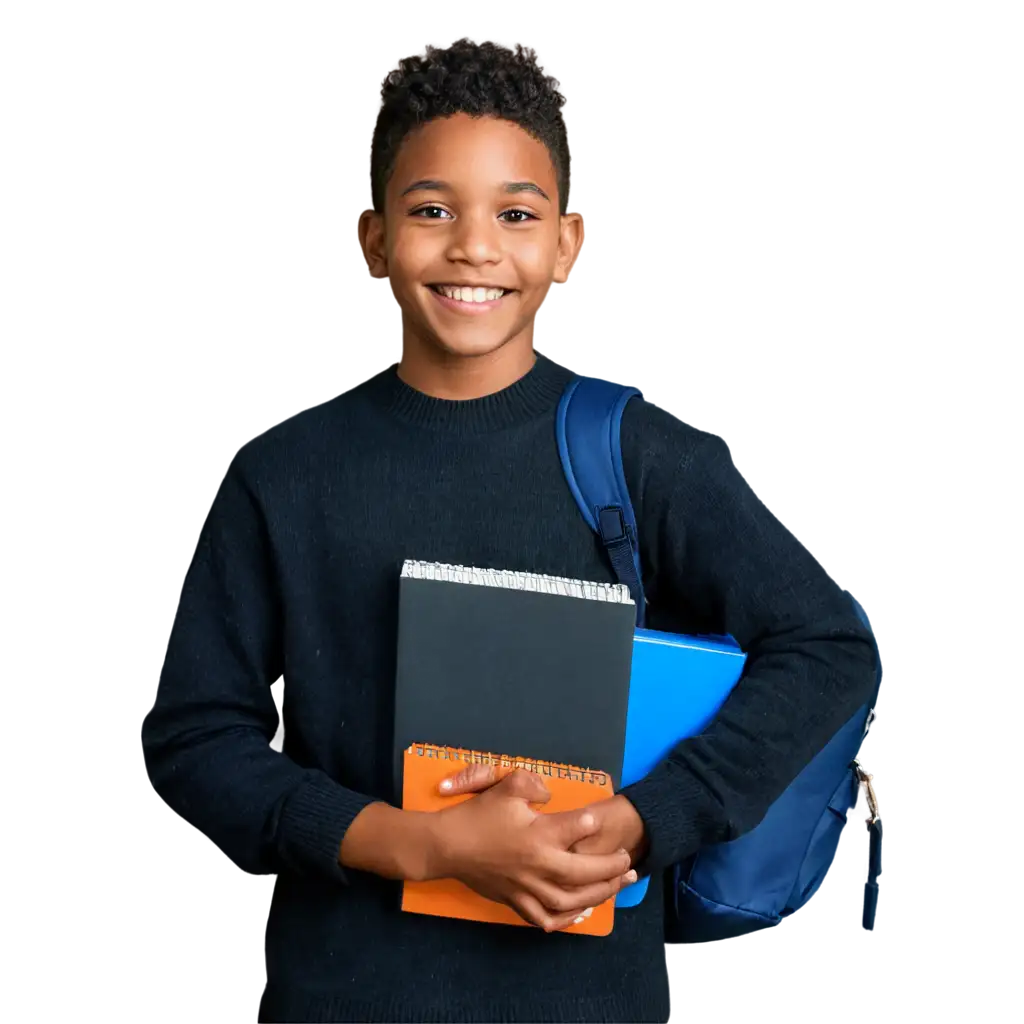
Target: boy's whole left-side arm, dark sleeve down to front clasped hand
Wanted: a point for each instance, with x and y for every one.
(206, 745)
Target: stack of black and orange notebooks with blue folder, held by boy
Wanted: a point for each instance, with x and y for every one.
(542, 672)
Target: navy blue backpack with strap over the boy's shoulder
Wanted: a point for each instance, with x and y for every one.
(759, 880)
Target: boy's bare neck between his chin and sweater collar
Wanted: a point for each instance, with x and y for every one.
(460, 378)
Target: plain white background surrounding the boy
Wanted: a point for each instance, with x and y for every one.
(175, 197)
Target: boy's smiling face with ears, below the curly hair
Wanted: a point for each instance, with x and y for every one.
(472, 242)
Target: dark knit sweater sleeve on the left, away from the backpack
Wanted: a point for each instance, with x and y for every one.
(206, 738)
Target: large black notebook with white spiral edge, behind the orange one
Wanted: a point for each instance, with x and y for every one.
(514, 663)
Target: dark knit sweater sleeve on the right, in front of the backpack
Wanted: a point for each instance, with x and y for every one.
(716, 552)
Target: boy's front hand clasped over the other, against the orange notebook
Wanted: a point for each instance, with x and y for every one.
(507, 851)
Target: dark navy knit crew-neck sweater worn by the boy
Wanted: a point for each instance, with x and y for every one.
(287, 619)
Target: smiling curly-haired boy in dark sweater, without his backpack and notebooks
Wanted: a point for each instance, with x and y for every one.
(288, 610)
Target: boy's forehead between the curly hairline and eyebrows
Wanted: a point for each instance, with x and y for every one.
(473, 150)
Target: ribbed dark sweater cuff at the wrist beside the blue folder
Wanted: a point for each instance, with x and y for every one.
(673, 806)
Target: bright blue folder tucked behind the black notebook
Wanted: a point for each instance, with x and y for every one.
(677, 686)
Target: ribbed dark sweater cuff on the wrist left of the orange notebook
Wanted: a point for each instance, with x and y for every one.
(314, 823)
